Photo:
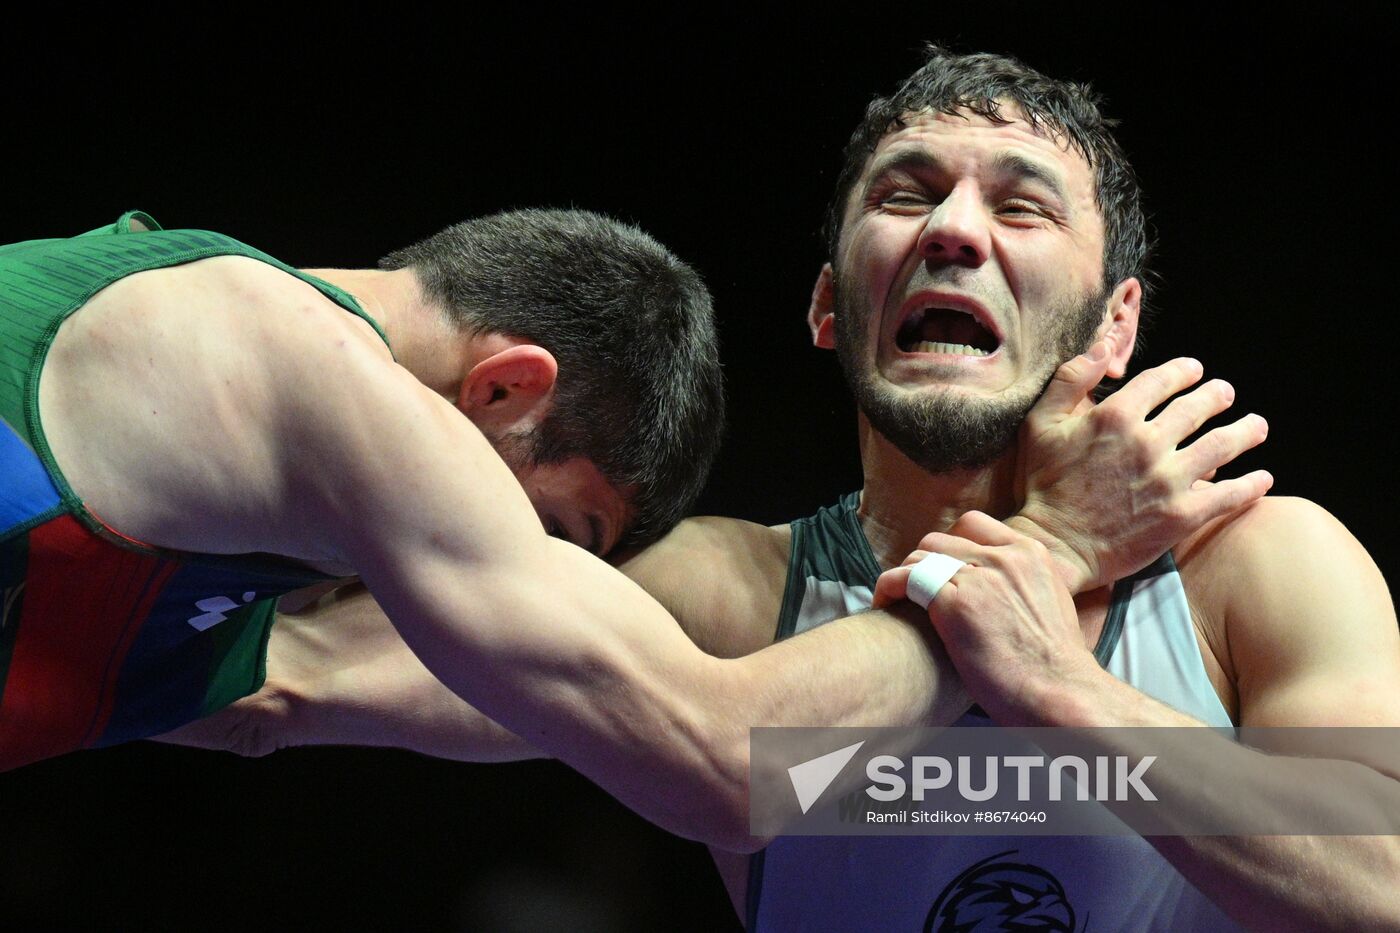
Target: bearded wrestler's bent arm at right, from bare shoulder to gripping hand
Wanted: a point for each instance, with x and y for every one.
(1311, 640)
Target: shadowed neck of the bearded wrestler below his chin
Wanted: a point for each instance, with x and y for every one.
(902, 502)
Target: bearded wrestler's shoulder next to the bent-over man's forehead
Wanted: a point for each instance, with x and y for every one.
(720, 578)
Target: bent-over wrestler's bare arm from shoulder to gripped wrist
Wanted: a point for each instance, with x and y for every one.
(328, 452)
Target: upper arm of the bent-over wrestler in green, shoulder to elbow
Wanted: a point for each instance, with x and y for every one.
(537, 634)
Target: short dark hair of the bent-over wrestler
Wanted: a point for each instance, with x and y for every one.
(640, 393)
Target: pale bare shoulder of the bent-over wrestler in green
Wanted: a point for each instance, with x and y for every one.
(223, 380)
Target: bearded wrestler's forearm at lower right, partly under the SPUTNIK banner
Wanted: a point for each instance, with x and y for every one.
(1265, 882)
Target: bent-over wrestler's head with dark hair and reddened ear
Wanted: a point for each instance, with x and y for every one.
(603, 387)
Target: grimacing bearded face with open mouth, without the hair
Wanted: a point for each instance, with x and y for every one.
(971, 265)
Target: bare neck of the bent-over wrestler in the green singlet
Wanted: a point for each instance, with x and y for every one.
(425, 343)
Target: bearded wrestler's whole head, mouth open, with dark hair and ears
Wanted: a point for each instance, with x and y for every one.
(985, 229)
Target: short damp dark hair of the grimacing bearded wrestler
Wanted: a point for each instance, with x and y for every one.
(948, 83)
